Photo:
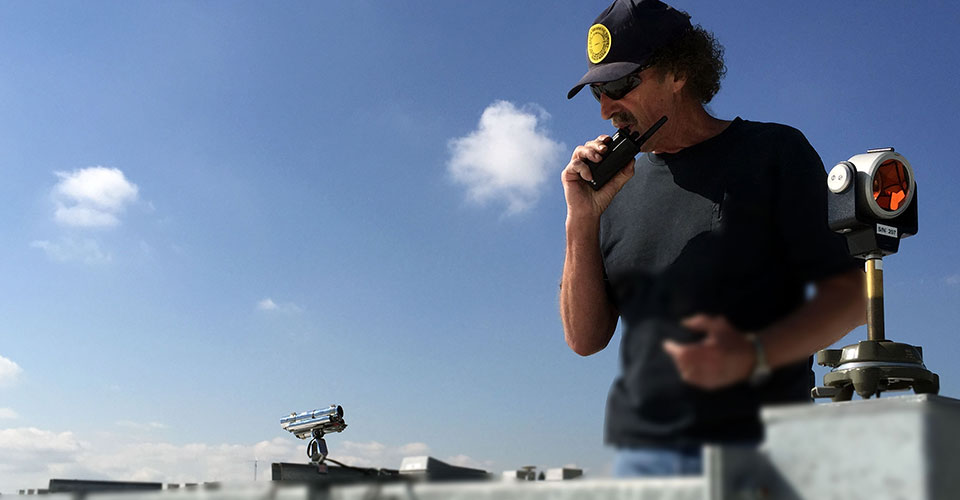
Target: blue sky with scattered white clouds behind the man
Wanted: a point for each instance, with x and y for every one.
(291, 212)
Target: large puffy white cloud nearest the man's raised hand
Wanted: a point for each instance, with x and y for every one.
(507, 158)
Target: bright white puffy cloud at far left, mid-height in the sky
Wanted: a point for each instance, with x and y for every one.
(92, 197)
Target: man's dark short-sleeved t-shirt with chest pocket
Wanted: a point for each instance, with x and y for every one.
(733, 226)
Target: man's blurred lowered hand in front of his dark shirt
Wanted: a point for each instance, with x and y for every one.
(724, 356)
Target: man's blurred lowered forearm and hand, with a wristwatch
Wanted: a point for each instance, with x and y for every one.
(725, 356)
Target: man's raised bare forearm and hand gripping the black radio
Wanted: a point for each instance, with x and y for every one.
(589, 319)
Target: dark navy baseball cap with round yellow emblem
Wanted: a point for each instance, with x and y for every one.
(623, 37)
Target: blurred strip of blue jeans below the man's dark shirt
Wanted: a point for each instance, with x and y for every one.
(654, 462)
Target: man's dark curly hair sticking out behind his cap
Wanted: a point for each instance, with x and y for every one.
(699, 57)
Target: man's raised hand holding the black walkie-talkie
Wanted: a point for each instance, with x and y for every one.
(582, 200)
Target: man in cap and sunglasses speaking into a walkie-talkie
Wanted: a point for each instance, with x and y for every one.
(705, 248)
